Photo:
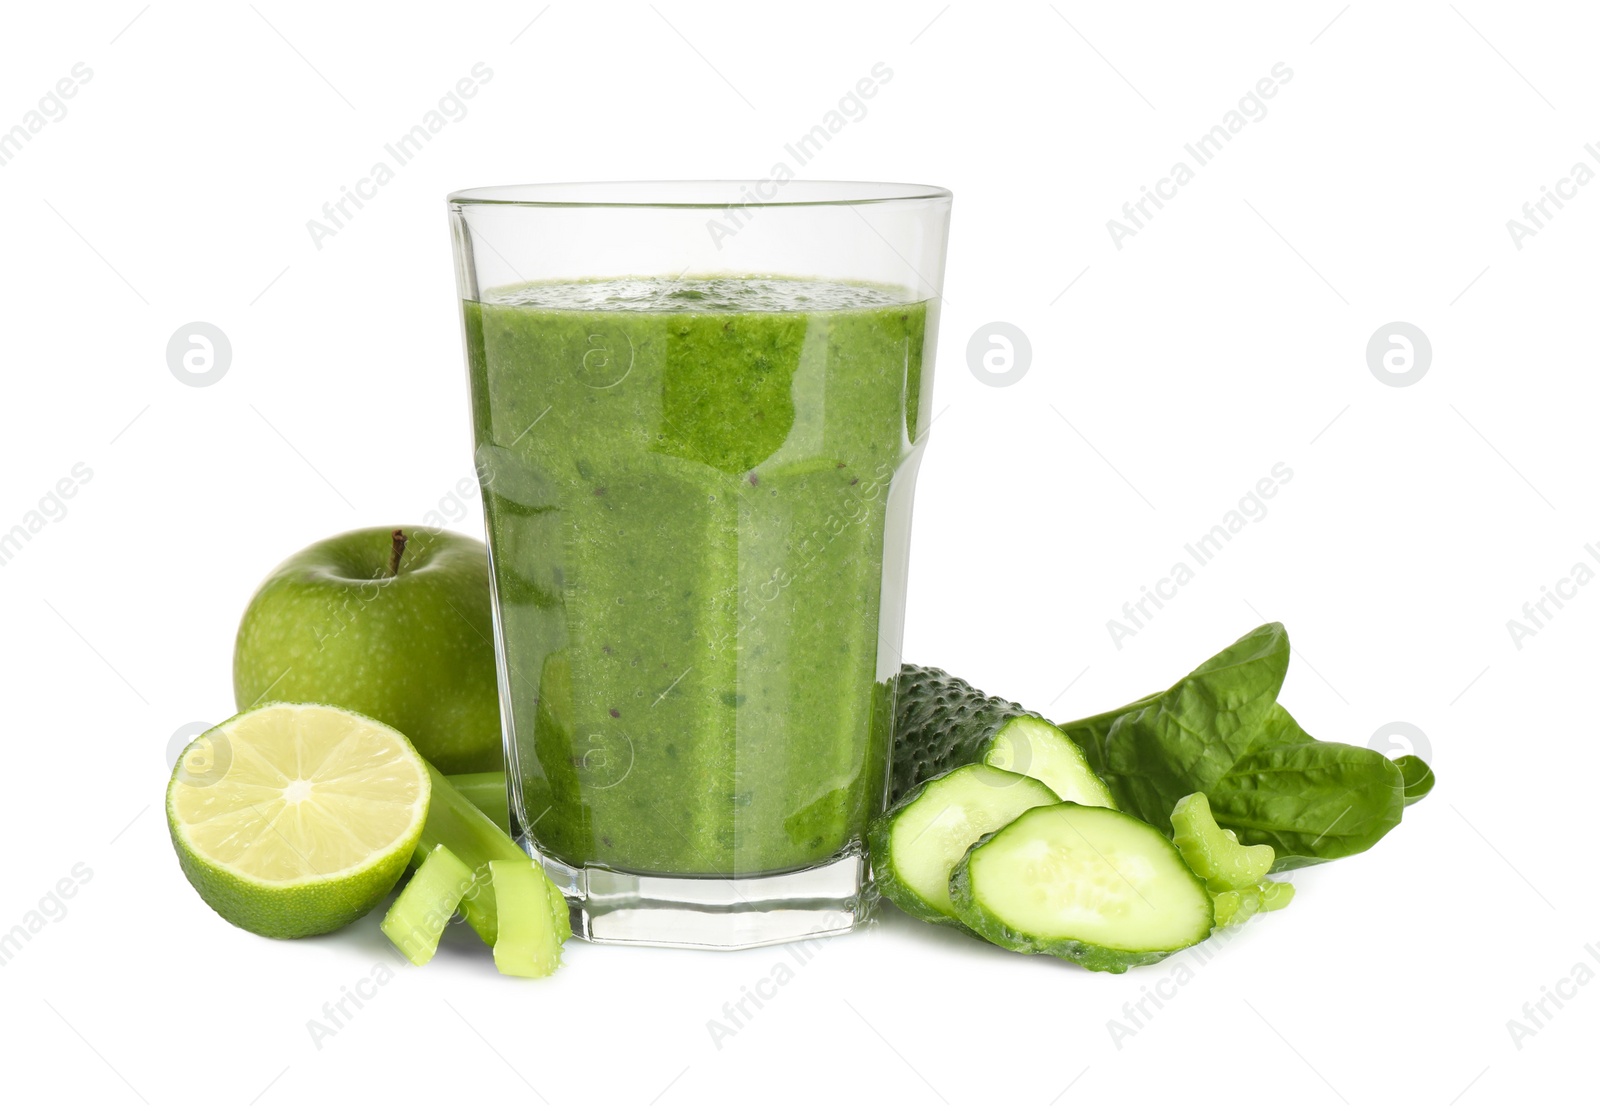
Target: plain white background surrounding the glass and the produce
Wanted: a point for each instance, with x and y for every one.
(1226, 337)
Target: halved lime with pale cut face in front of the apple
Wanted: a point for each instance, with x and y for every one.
(294, 820)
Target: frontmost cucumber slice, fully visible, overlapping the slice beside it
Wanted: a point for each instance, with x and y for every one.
(1087, 884)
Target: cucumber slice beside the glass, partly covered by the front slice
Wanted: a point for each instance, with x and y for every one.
(916, 844)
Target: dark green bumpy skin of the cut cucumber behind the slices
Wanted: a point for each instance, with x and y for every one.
(942, 724)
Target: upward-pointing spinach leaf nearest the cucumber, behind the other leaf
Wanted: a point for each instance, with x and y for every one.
(1190, 737)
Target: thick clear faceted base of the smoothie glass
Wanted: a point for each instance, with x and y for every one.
(714, 913)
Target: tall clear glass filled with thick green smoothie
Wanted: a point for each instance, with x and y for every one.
(698, 411)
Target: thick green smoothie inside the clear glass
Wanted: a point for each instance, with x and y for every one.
(697, 491)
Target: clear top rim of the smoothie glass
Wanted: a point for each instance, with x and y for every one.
(730, 193)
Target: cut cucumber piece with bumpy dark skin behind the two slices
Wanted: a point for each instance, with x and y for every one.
(943, 723)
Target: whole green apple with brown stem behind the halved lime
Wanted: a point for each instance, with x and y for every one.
(390, 624)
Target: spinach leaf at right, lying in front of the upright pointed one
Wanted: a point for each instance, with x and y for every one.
(1311, 801)
